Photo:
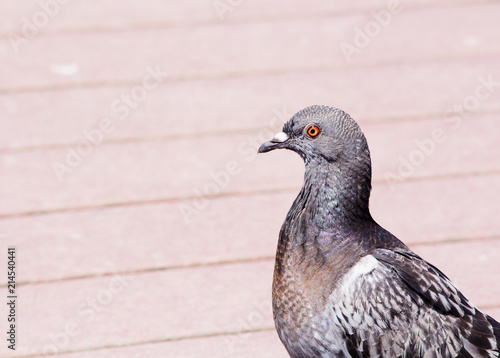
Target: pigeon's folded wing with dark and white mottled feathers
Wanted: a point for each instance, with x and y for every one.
(405, 307)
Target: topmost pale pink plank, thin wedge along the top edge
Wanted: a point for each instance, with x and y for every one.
(113, 14)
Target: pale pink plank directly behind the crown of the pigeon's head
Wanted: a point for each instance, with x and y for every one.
(184, 109)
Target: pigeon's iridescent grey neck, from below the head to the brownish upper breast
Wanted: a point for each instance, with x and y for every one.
(327, 227)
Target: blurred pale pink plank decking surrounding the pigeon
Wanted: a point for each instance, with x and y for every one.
(144, 223)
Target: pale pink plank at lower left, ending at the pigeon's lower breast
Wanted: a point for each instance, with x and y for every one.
(132, 309)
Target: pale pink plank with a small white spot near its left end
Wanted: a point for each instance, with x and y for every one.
(78, 59)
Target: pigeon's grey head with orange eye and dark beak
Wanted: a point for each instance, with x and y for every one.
(321, 134)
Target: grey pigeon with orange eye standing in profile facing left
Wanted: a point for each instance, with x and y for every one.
(344, 286)
